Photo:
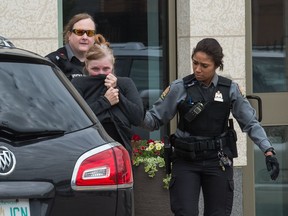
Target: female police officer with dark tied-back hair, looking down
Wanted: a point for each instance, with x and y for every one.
(204, 145)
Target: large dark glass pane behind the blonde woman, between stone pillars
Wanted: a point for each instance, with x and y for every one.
(137, 31)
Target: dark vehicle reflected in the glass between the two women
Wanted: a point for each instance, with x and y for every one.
(145, 66)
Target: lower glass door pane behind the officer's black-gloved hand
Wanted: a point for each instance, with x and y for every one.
(271, 197)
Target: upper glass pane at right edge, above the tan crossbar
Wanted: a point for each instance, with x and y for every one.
(269, 53)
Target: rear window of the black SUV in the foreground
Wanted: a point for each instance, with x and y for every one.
(32, 98)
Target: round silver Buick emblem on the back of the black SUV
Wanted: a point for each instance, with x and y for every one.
(7, 161)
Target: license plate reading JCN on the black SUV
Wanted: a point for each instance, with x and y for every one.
(15, 207)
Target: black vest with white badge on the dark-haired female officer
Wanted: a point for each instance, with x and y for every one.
(213, 120)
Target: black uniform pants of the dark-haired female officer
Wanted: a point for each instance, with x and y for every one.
(188, 177)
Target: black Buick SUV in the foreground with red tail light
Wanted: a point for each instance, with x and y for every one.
(55, 156)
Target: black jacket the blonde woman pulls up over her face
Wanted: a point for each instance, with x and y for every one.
(129, 111)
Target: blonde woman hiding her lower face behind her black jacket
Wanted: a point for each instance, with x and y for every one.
(115, 100)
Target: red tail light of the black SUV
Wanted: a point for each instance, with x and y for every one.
(105, 167)
